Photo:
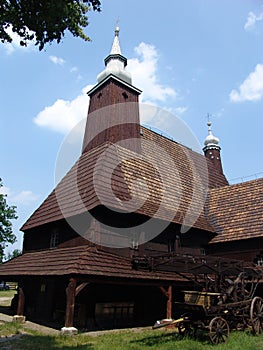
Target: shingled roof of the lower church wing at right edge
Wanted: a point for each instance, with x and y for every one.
(236, 211)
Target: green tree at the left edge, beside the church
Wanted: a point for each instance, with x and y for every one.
(7, 213)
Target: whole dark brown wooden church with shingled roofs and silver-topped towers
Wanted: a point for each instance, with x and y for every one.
(132, 192)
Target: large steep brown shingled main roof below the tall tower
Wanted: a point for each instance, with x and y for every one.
(167, 175)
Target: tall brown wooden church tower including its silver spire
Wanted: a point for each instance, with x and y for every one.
(113, 115)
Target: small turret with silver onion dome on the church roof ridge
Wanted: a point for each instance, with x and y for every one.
(212, 149)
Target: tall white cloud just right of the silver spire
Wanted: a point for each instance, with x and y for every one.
(144, 74)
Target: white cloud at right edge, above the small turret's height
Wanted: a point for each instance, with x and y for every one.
(252, 87)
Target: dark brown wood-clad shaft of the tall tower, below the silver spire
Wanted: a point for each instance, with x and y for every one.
(113, 116)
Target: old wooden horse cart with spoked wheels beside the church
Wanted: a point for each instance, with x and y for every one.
(224, 298)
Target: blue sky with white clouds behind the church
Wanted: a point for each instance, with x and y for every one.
(190, 57)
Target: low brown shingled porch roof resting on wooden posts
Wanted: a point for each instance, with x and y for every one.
(82, 261)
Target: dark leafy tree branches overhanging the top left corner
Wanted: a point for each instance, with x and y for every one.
(45, 20)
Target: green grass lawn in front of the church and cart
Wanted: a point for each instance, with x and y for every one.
(152, 340)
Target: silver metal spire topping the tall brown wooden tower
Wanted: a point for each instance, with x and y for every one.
(115, 63)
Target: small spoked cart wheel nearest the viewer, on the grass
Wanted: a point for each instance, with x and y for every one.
(218, 330)
